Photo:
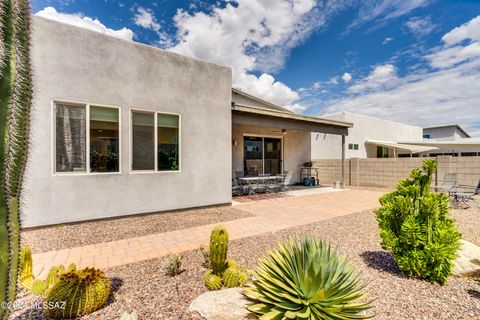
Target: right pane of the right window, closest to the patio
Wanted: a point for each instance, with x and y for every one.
(167, 142)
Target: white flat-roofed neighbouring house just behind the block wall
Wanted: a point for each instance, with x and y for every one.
(370, 137)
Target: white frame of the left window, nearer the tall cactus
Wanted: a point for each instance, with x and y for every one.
(86, 105)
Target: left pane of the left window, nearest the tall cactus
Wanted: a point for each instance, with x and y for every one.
(70, 138)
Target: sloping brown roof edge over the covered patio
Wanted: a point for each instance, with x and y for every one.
(263, 117)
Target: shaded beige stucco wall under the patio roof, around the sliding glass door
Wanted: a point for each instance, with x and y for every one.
(296, 147)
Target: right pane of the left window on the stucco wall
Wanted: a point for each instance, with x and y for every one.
(104, 139)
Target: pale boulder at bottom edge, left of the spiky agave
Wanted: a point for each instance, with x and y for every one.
(227, 304)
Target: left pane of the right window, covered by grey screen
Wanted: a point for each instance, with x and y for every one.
(143, 141)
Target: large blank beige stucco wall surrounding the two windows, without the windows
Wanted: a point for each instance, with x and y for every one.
(75, 64)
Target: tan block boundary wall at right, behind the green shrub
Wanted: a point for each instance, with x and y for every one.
(387, 172)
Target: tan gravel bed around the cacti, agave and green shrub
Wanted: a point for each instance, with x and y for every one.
(145, 287)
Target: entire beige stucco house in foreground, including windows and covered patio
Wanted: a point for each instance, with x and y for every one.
(121, 128)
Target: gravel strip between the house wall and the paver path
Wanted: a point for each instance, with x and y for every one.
(80, 234)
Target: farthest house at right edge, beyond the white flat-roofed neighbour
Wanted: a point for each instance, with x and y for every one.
(449, 140)
